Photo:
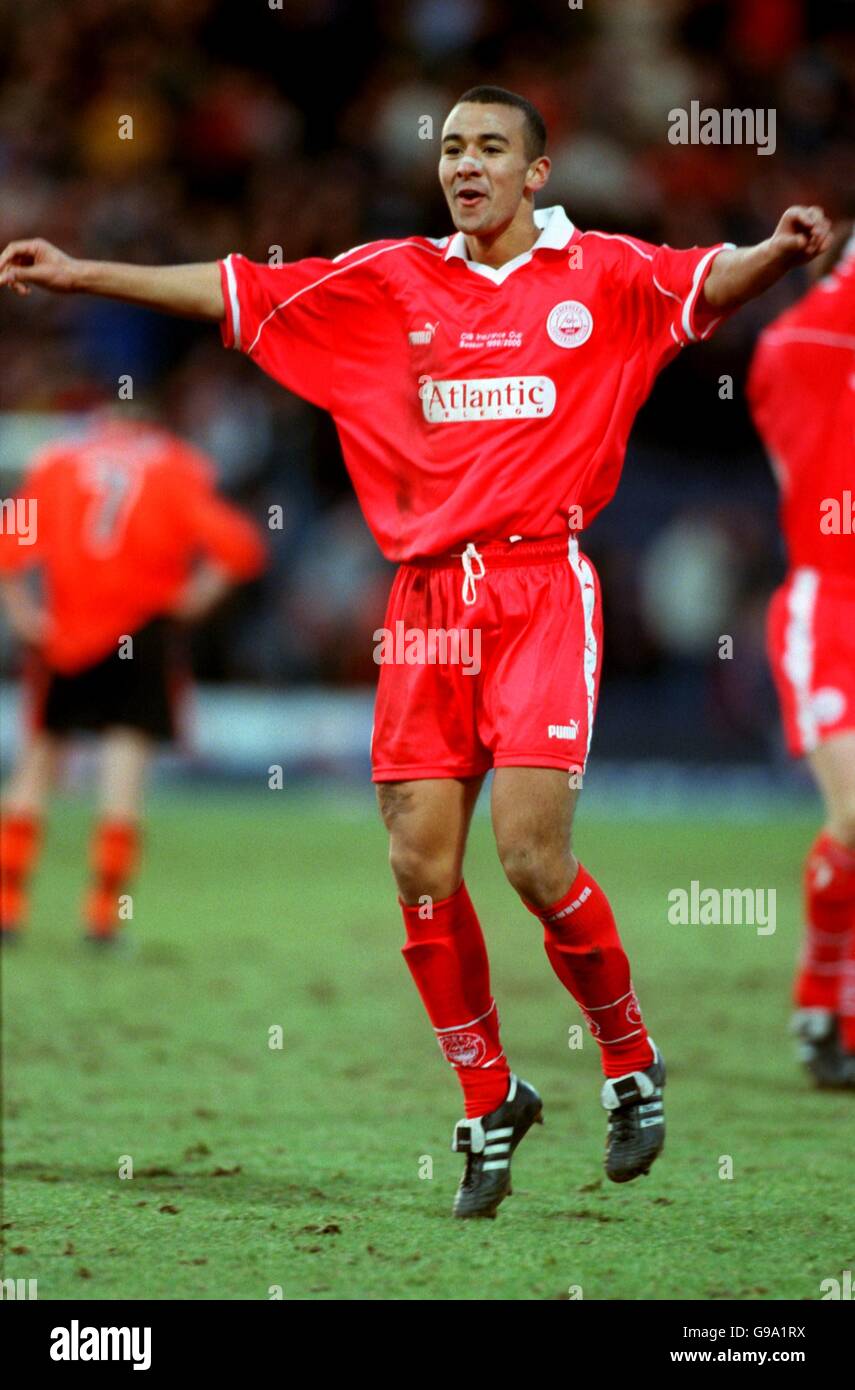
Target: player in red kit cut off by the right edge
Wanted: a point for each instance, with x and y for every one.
(803, 397)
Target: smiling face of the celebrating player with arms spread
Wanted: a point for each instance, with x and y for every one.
(484, 169)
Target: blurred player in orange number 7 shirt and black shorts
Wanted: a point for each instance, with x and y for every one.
(129, 534)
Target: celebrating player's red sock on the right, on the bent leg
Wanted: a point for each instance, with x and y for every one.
(586, 953)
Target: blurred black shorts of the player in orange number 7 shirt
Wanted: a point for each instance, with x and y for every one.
(138, 692)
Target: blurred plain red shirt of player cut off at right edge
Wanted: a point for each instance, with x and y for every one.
(801, 389)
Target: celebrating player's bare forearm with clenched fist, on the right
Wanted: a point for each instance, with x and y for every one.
(739, 276)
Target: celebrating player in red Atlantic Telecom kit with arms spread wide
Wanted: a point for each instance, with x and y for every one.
(484, 387)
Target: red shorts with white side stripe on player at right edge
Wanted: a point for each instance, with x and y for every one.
(811, 636)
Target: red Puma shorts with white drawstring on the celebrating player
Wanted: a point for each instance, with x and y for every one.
(489, 660)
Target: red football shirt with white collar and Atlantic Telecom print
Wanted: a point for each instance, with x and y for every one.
(475, 404)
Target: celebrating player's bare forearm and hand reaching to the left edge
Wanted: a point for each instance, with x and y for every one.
(193, 291)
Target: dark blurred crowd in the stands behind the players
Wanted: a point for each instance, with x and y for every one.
(301, 124)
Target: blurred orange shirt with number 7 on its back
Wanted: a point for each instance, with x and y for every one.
(120, 518)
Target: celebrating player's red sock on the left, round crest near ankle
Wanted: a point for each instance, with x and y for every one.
(448, 961)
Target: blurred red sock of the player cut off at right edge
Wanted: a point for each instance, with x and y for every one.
(826, 976)
